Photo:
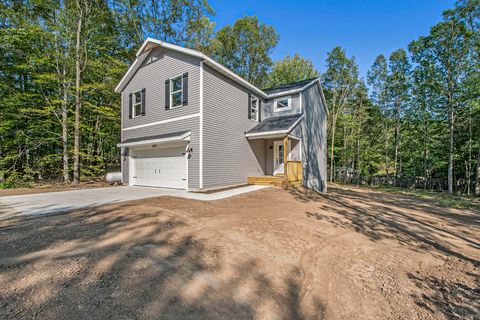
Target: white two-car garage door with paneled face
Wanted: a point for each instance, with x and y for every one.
(164, 167)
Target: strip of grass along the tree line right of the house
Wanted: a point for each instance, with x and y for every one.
(441, 198)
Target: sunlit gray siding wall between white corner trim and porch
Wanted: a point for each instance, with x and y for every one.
(228, 157)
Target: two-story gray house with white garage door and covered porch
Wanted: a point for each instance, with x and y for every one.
(188, 122)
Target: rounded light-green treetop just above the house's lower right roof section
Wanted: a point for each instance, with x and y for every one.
(291, 69)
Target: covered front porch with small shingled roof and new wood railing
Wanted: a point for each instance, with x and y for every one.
(278, 151)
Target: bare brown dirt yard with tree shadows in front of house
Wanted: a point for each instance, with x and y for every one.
(270, 254)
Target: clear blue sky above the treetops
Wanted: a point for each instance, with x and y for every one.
(364, 28)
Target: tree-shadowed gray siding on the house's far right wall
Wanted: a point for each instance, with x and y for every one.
(314, 139)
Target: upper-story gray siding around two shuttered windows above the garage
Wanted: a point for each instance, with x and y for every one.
(152, 77)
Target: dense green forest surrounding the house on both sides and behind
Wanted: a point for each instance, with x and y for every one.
(413, 122)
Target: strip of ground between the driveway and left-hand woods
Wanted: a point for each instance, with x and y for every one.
(55, 186)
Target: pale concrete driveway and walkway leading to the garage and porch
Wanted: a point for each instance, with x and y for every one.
(55, 202)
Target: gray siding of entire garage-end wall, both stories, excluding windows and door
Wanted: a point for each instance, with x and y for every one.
(151, 76)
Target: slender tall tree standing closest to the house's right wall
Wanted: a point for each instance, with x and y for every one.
(339, 81)
